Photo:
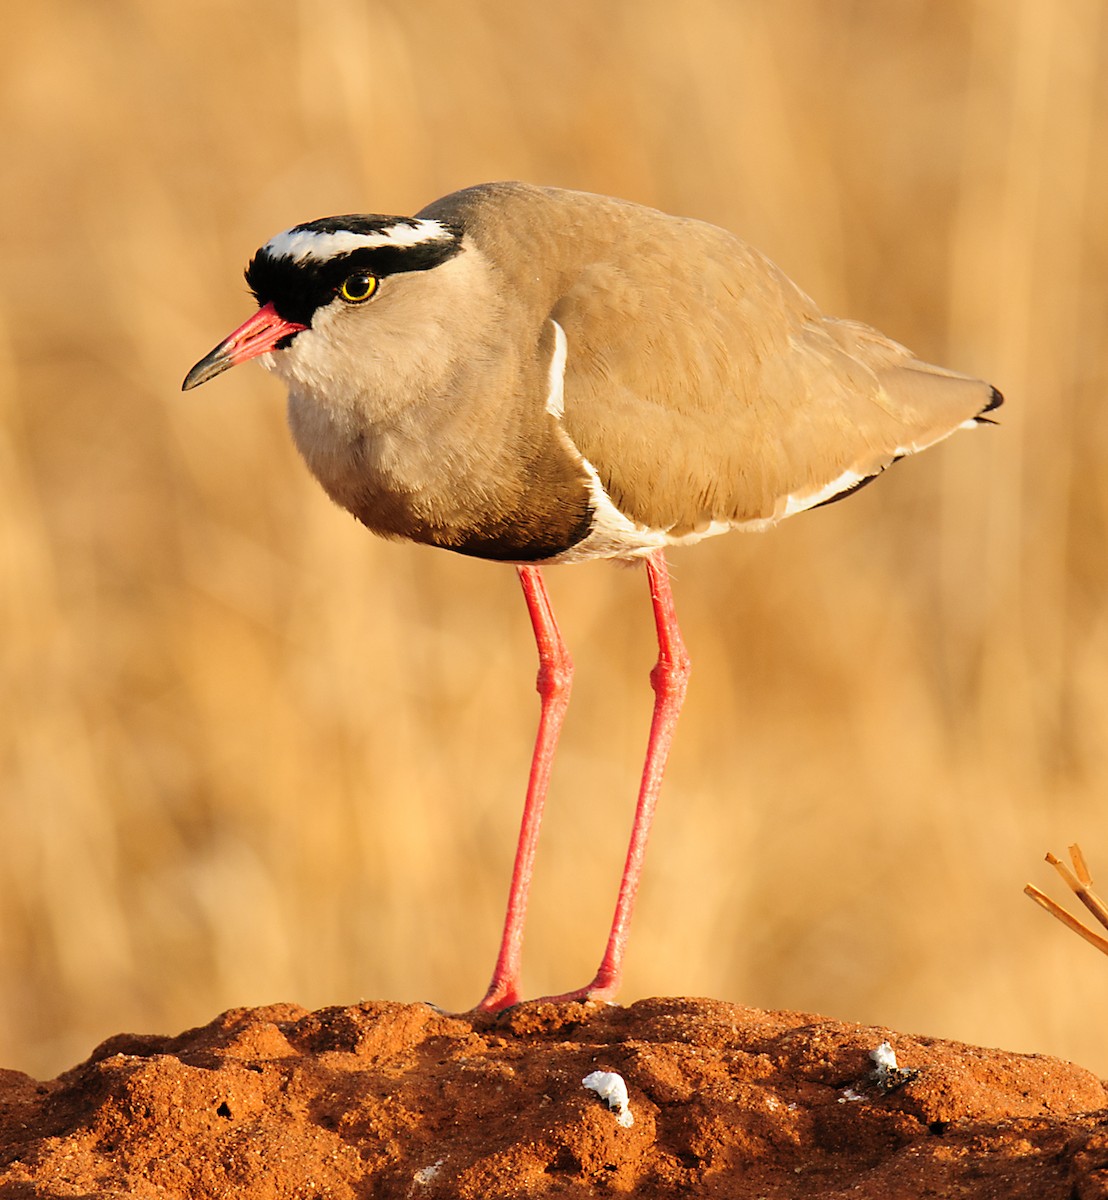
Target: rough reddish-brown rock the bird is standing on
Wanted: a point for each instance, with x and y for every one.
(402, 1101)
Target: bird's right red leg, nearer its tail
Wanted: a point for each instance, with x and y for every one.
(669, 680)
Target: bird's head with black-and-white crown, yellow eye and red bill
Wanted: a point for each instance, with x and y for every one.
(316, 283)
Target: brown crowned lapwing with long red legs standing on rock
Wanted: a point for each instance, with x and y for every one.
(536, 376)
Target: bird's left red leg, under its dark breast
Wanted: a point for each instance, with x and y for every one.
(556, 670)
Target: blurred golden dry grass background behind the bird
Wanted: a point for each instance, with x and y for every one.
(251, 754)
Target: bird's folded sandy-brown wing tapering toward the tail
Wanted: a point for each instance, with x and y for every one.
(705, 387)
